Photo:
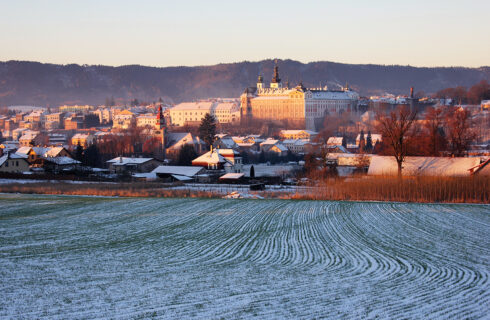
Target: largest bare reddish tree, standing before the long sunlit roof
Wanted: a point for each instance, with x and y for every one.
(395, 129)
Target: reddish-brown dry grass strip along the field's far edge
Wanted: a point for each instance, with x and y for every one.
(419, 189)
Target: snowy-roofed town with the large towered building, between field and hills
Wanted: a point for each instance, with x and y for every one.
(237, 140)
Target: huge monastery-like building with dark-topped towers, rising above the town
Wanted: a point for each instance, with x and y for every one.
(301, 107)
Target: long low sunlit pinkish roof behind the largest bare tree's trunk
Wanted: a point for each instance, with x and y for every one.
(423, 166)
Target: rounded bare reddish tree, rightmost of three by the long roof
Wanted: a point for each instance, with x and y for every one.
(460, 131)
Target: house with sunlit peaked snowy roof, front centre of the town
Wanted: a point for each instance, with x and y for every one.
(220, 159)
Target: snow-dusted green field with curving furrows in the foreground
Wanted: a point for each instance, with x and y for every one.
(67, 257)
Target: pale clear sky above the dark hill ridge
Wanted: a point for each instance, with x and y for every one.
(176, 33)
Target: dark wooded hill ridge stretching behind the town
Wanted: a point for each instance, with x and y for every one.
(33, 83)
